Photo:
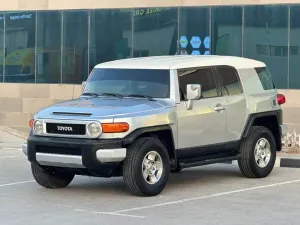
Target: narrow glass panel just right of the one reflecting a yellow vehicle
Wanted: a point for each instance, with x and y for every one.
(48, 51)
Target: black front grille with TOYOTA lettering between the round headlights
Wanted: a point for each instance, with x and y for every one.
(66, 129)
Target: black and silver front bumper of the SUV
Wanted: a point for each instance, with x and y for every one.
(74, 153)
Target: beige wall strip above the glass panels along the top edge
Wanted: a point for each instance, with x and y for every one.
(90, 4)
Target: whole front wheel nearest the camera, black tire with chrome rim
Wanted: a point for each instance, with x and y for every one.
(146, 167)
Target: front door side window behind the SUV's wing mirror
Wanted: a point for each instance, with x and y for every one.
(204, 77)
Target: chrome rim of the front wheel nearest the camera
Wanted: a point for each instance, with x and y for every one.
(152, 167)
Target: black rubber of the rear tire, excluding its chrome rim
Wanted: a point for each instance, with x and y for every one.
(247, 162)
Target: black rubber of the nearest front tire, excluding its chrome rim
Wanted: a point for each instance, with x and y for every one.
(132, 167)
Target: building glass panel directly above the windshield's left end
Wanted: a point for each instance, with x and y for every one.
(111, 35)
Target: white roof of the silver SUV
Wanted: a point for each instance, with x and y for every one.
(181, 62)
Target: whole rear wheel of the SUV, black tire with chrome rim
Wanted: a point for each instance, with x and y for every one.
(258, 153)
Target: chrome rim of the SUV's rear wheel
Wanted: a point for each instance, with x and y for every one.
(262, 152)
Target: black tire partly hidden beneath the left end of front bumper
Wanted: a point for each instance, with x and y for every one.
(51, 178)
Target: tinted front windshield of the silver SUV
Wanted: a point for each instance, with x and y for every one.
(125, 82)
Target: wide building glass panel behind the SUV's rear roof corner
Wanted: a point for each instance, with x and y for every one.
(268, 26)
